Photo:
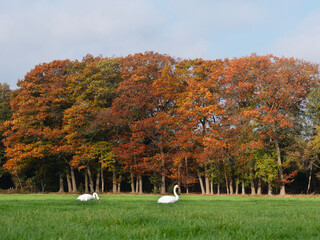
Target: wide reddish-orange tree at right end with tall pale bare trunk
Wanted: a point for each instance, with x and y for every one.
(275, 91)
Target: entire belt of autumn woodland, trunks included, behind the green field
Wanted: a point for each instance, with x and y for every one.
(144, 122)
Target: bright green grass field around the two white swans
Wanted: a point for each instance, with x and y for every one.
(52, 216)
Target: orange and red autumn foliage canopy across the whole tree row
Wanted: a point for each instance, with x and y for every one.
(158, 113)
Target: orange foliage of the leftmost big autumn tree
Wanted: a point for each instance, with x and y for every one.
(36, 126)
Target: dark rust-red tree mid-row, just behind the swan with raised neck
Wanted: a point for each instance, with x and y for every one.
(137, 108)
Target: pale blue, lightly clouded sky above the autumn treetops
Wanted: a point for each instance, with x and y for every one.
(37, 31)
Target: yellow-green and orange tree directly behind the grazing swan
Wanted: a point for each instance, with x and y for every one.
(91, 89)
